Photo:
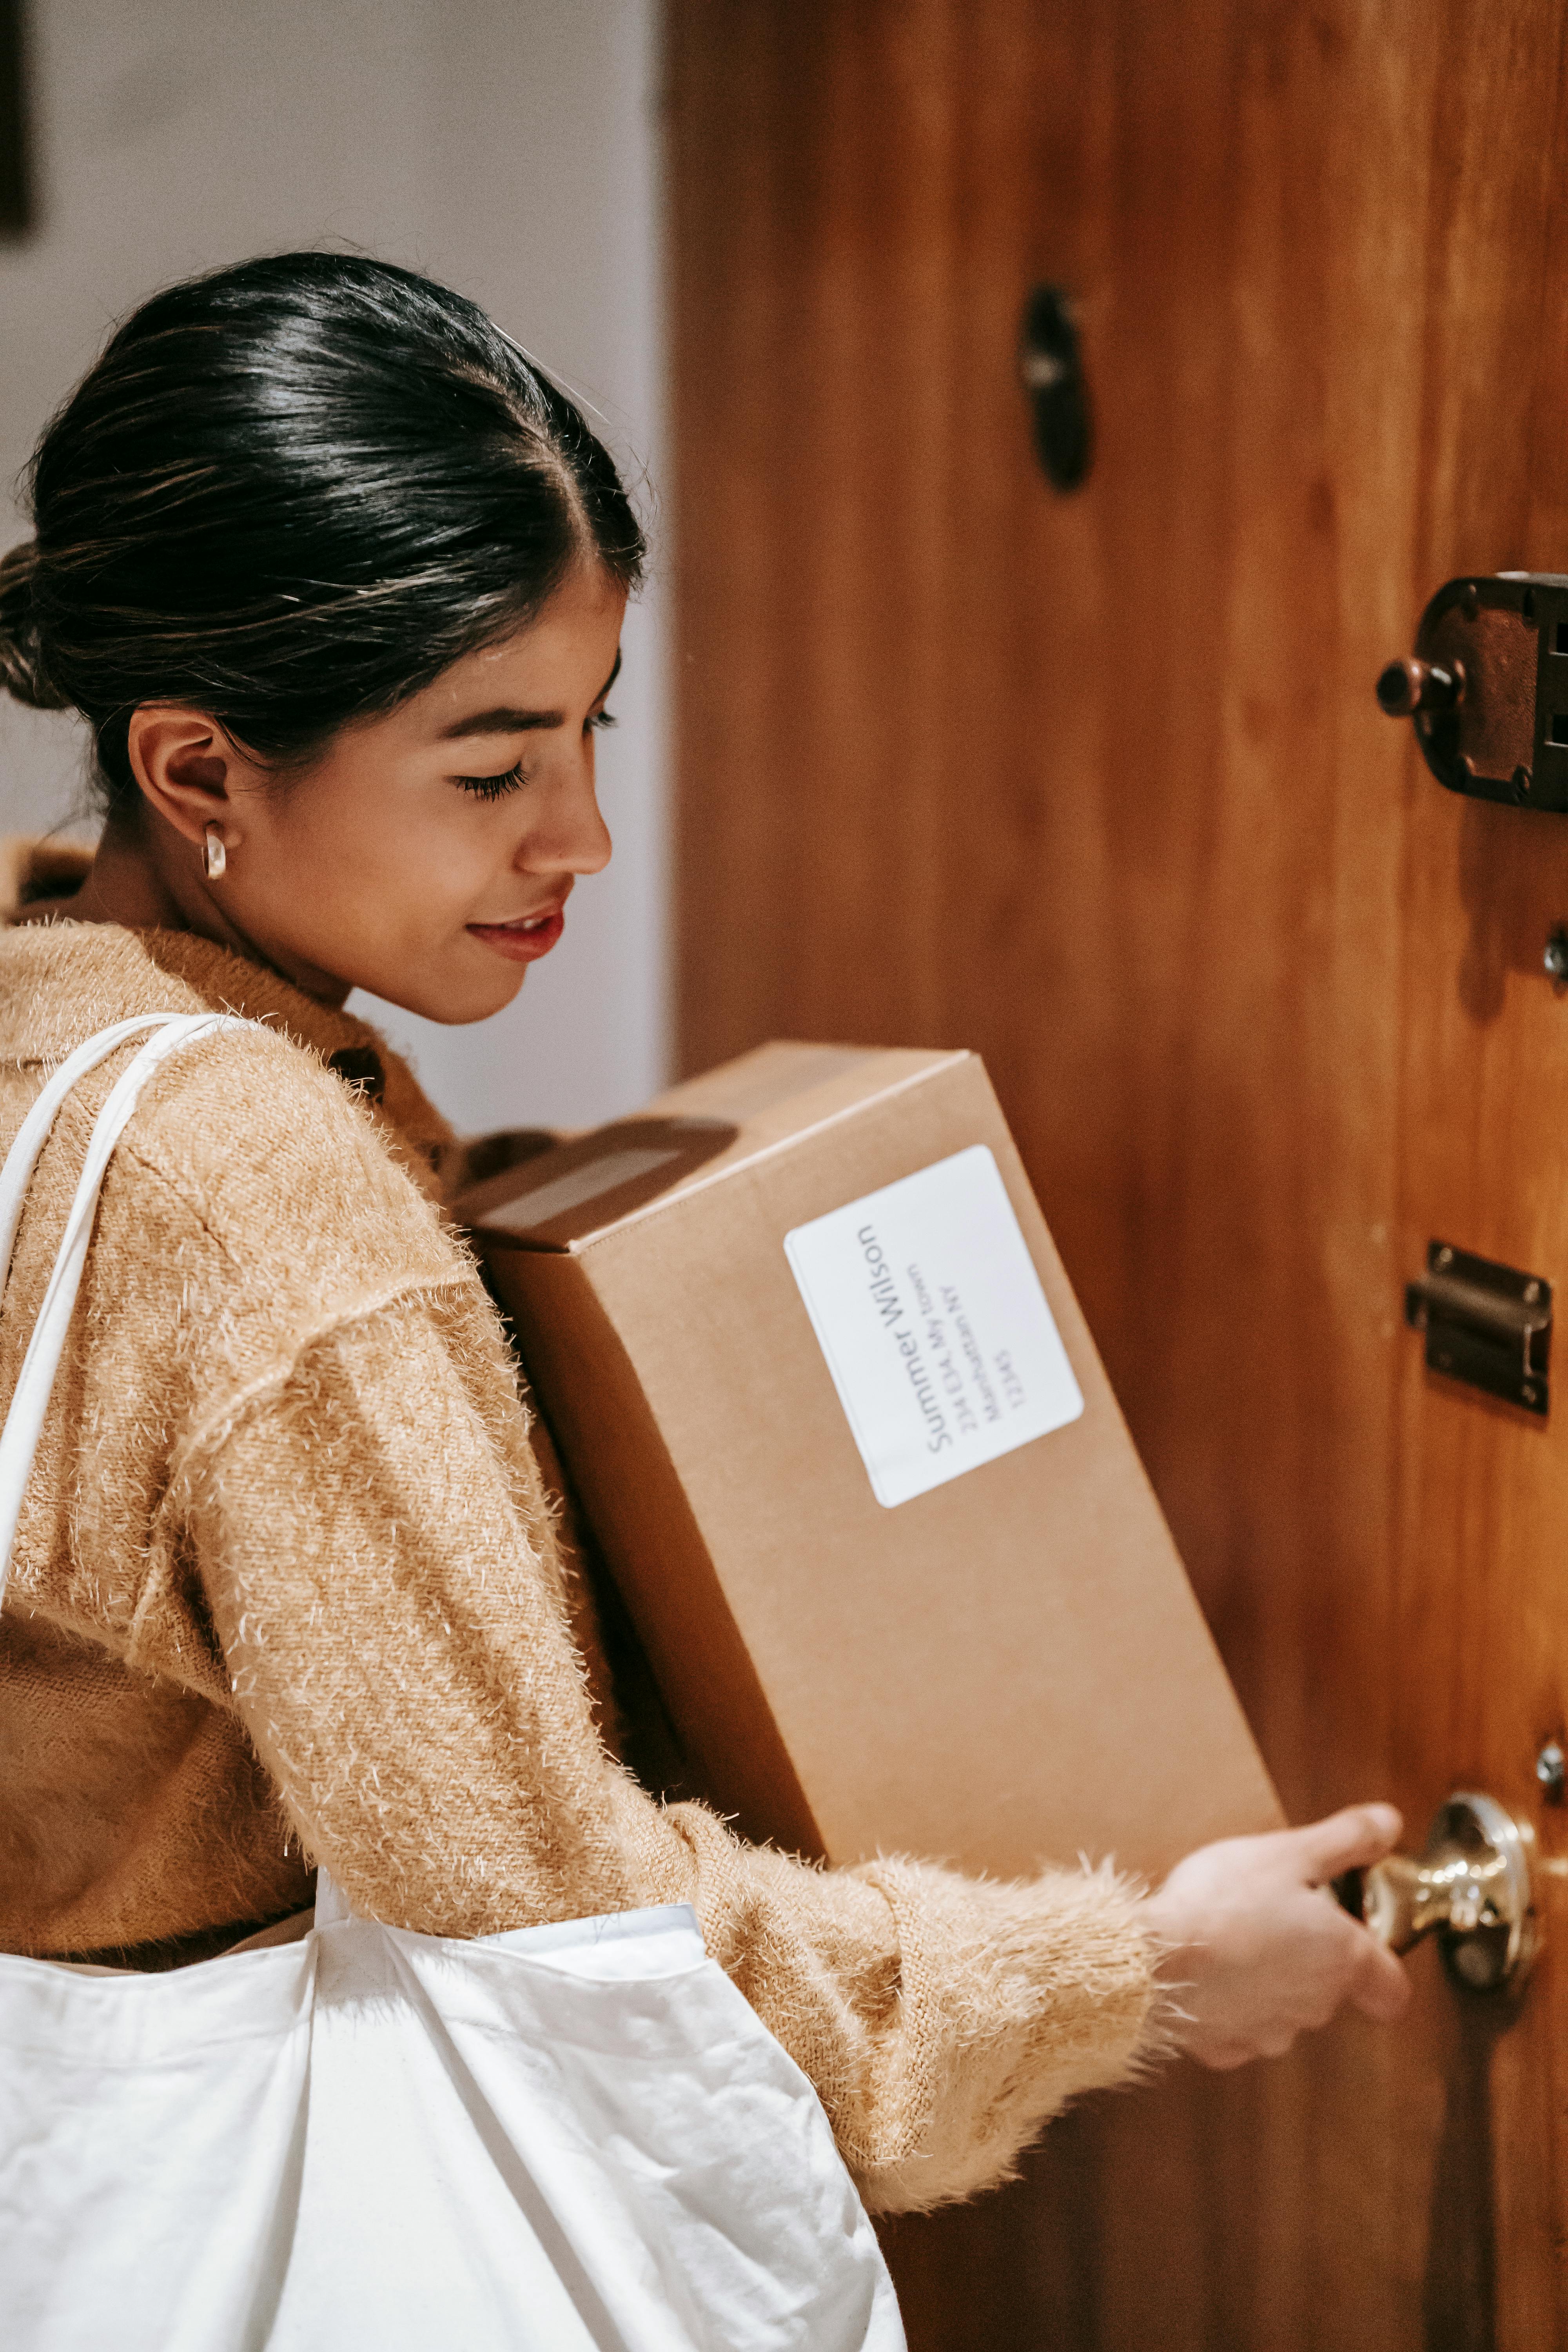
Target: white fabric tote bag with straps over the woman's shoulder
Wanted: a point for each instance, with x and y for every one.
(575, 2137)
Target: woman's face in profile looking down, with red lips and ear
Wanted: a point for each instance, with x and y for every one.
(427, 855)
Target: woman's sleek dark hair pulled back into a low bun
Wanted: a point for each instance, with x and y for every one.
(290, 495)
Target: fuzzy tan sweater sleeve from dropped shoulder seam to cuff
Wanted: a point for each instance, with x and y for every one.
(380, 1568)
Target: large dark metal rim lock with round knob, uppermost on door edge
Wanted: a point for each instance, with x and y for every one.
(1489, 688)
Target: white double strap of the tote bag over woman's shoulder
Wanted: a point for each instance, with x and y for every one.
(36, 1382)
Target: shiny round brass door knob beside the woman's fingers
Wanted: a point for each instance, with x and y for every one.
(1470, 1890)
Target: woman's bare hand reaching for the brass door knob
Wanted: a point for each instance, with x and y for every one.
(1257, 1946)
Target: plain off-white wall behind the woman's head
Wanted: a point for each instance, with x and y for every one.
(507, 147)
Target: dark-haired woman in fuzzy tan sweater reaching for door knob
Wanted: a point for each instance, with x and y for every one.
(337, 580)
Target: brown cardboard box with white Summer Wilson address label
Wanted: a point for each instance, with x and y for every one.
(829, 1403)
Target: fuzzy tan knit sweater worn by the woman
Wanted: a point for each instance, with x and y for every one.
(288, 1591)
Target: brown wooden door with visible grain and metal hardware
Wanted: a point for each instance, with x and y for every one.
(1099, 787)
